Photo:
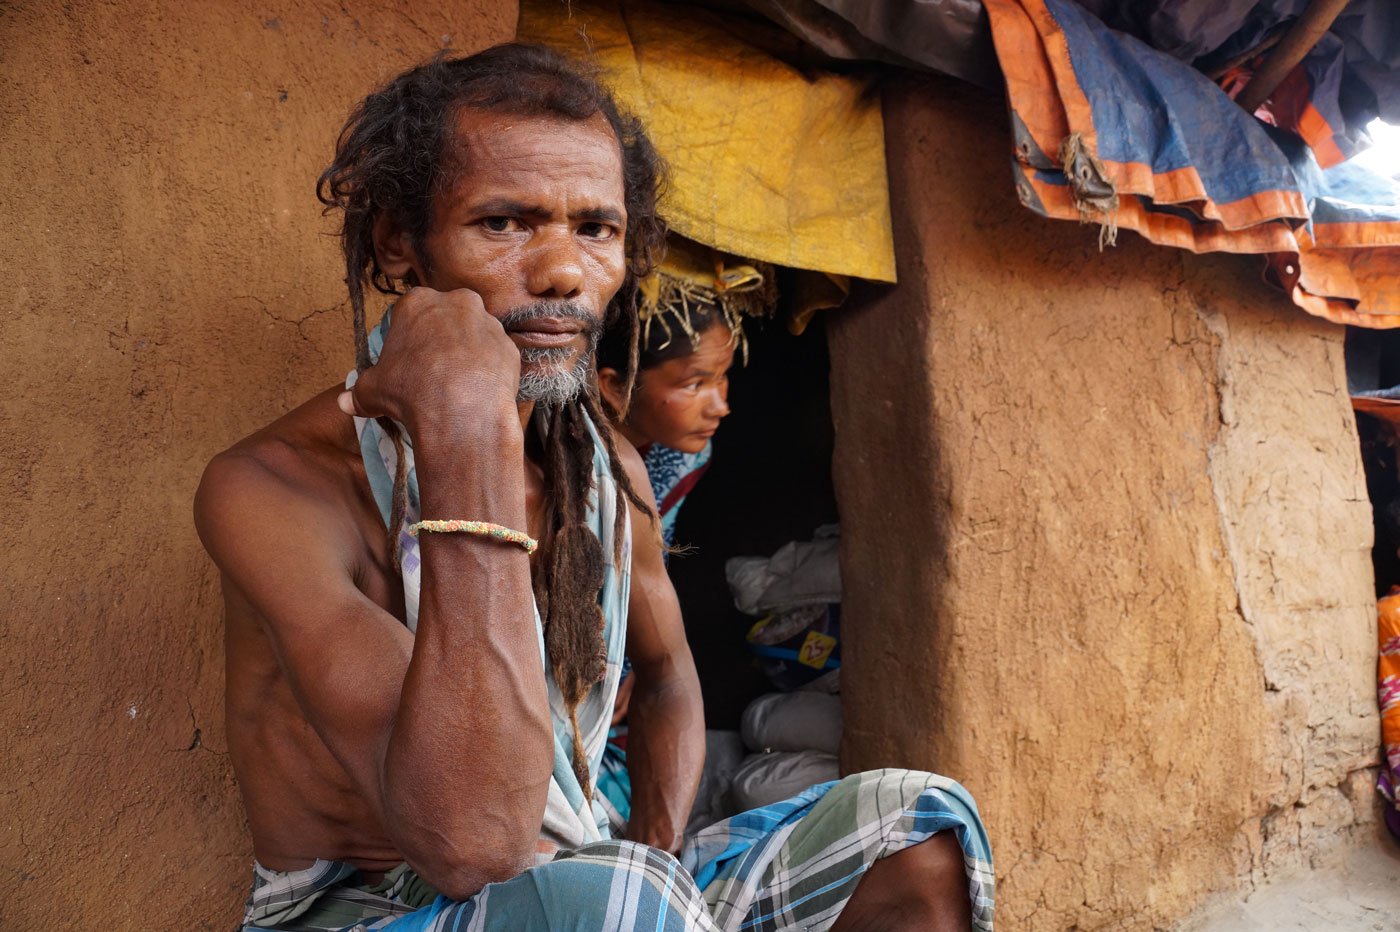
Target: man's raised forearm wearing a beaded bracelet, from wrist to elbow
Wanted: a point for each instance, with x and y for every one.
(471, 754)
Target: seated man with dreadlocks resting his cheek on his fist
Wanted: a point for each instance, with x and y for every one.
(418, 693)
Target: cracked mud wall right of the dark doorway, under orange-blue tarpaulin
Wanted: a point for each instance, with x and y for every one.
(1107, 544)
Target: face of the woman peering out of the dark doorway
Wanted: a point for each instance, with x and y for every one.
(681, 402)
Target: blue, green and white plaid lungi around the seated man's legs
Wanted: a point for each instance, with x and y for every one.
(792, 866)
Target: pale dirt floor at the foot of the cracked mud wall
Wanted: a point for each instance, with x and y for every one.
(1357, 894)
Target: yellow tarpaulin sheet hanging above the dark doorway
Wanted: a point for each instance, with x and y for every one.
(766, 162)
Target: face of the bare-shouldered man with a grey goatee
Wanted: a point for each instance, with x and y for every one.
(534, 223)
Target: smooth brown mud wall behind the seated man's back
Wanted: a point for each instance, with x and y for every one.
(171, 289)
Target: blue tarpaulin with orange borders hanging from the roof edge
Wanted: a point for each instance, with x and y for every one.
(1114, 131)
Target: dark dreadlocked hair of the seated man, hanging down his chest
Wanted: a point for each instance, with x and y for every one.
(395, 155)
